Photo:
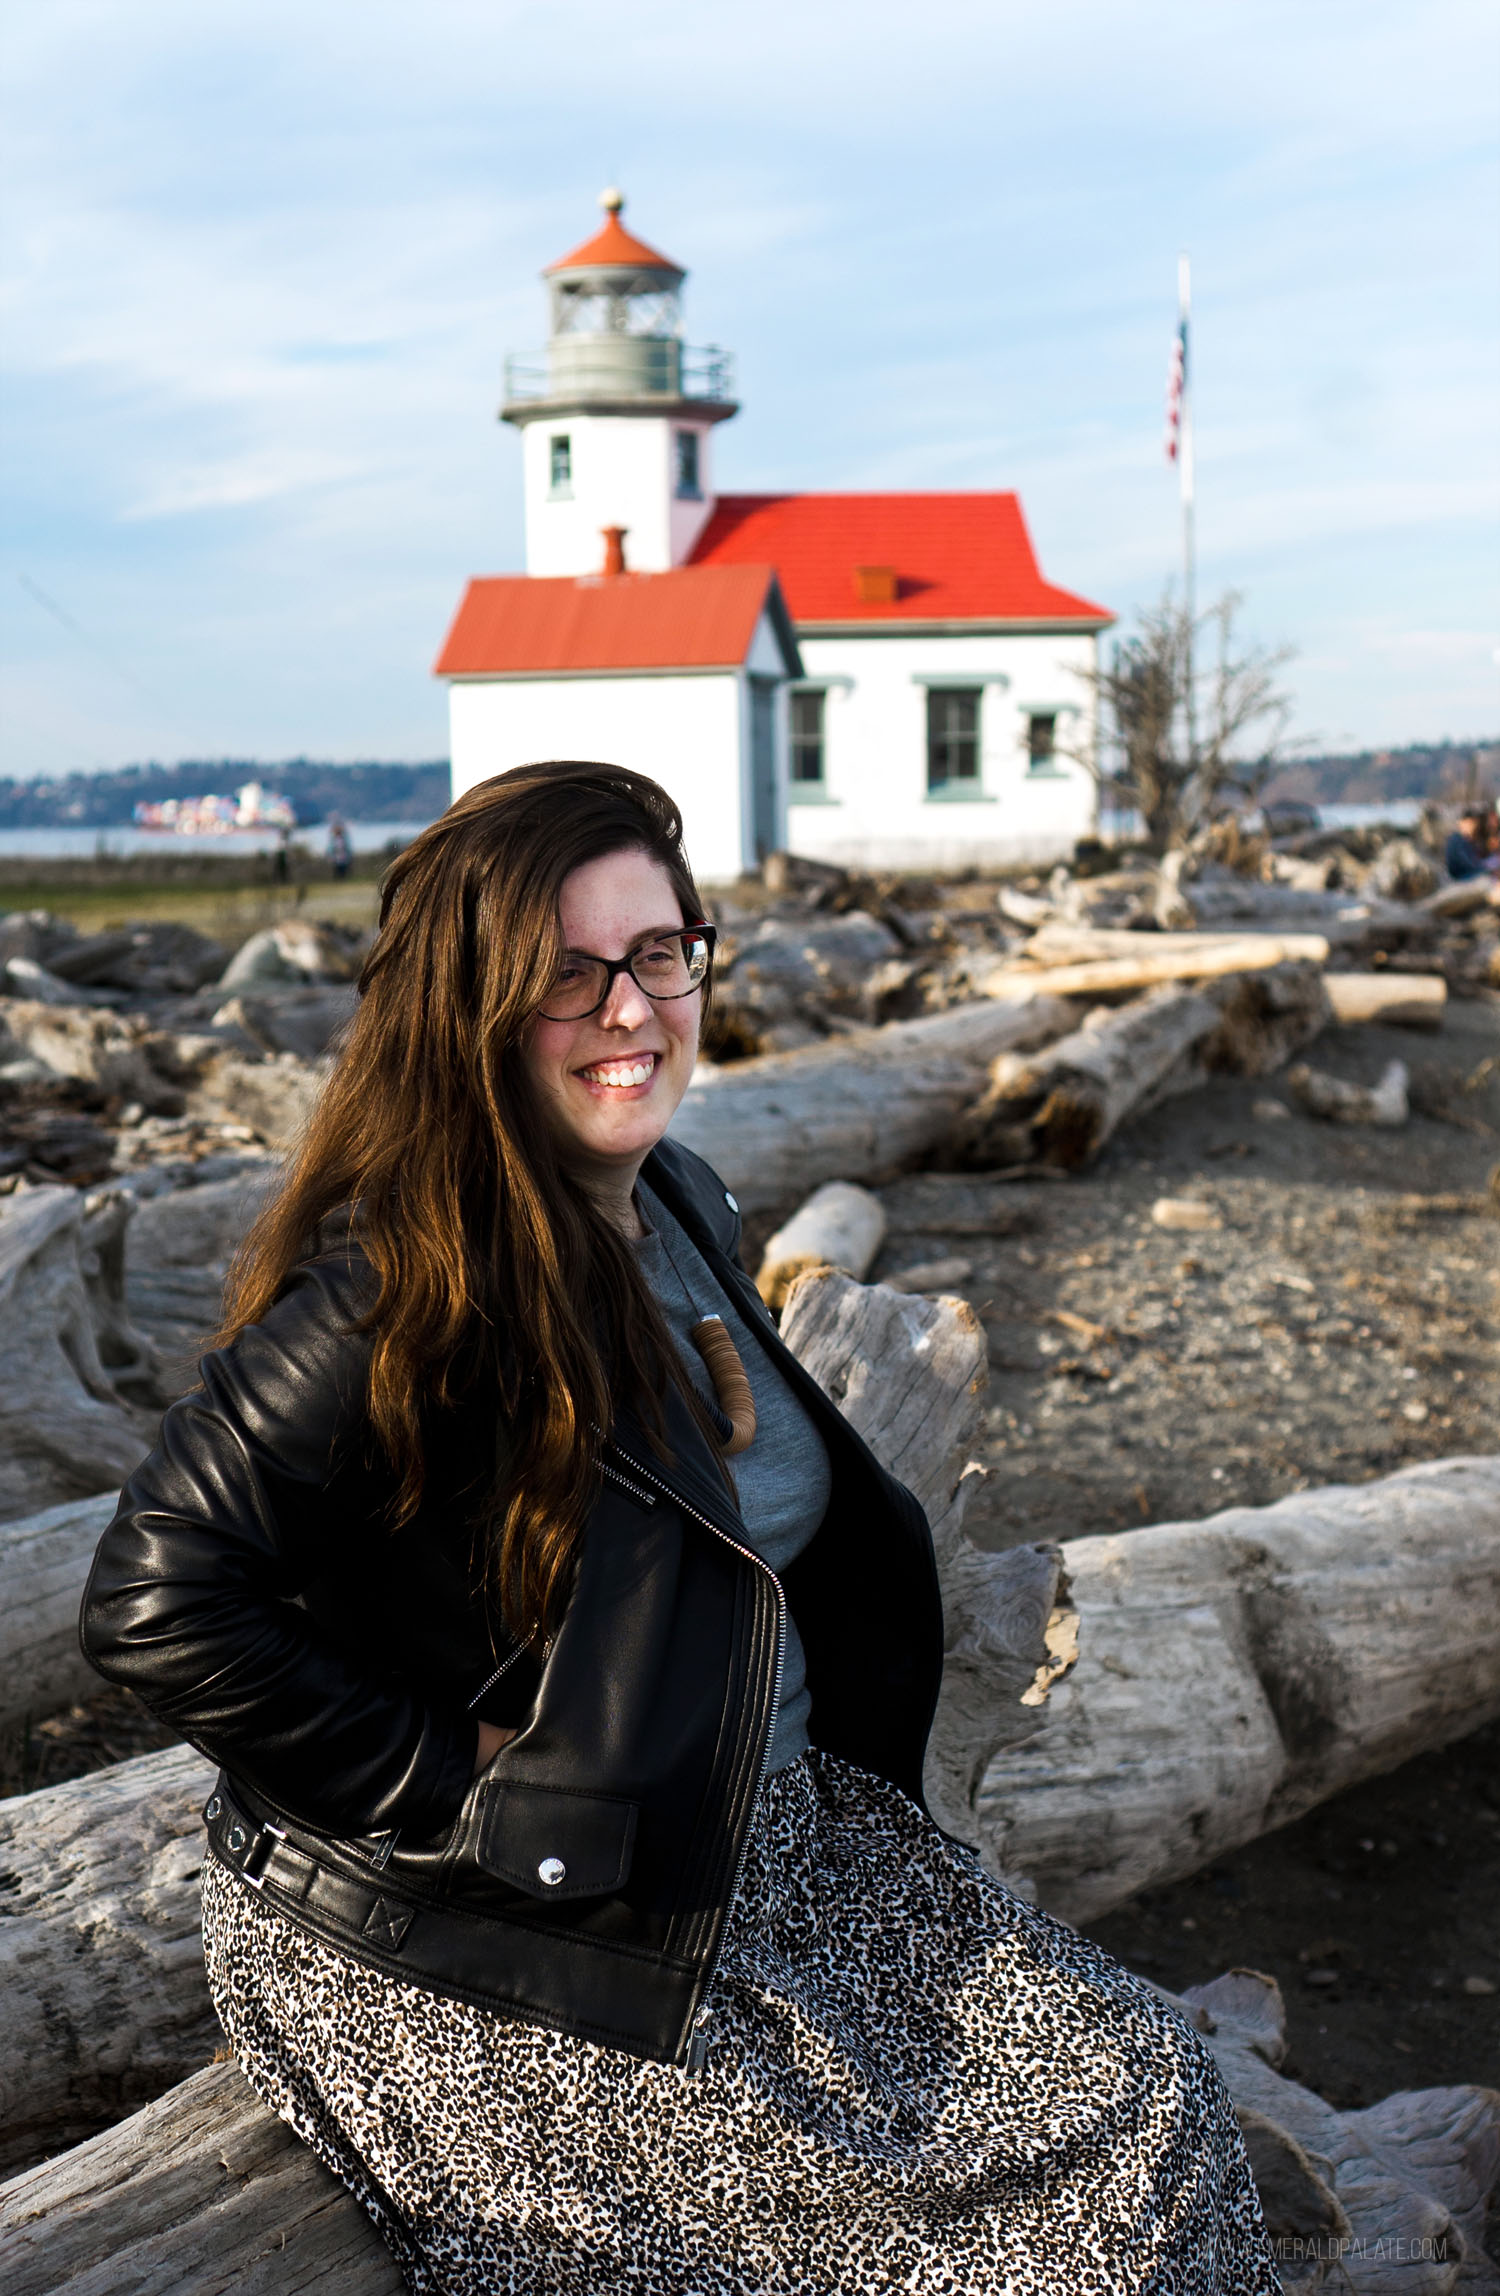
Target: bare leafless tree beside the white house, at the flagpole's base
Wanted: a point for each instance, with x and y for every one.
(1184, 766)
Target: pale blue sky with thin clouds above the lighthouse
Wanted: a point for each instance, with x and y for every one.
(261, 270)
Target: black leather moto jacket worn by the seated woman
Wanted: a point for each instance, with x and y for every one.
(249, 1592)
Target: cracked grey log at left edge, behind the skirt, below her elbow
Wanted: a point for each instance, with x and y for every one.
(100, 1955)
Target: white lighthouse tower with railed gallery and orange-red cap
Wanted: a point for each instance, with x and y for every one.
(617, 417)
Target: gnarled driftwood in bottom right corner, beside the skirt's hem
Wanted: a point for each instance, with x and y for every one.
(1391, 2201)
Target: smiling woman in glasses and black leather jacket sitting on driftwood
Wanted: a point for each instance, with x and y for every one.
(571, 1666)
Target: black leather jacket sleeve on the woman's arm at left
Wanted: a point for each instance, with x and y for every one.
(258, 1480)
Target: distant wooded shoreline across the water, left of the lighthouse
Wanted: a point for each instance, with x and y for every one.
(359, 793)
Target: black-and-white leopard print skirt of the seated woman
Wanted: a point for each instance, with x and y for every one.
(915, 2084)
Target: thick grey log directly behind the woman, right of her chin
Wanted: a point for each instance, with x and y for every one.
(858, 1106)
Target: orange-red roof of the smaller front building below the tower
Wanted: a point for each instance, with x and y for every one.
(695, 619)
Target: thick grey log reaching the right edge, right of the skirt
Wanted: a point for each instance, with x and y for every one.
(1237, 1673)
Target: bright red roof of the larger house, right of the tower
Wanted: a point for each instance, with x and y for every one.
(954, 557)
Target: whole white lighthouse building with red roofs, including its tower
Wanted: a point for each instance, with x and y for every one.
(869, 678)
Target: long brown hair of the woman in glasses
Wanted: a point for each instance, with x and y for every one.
(431, 1142)
